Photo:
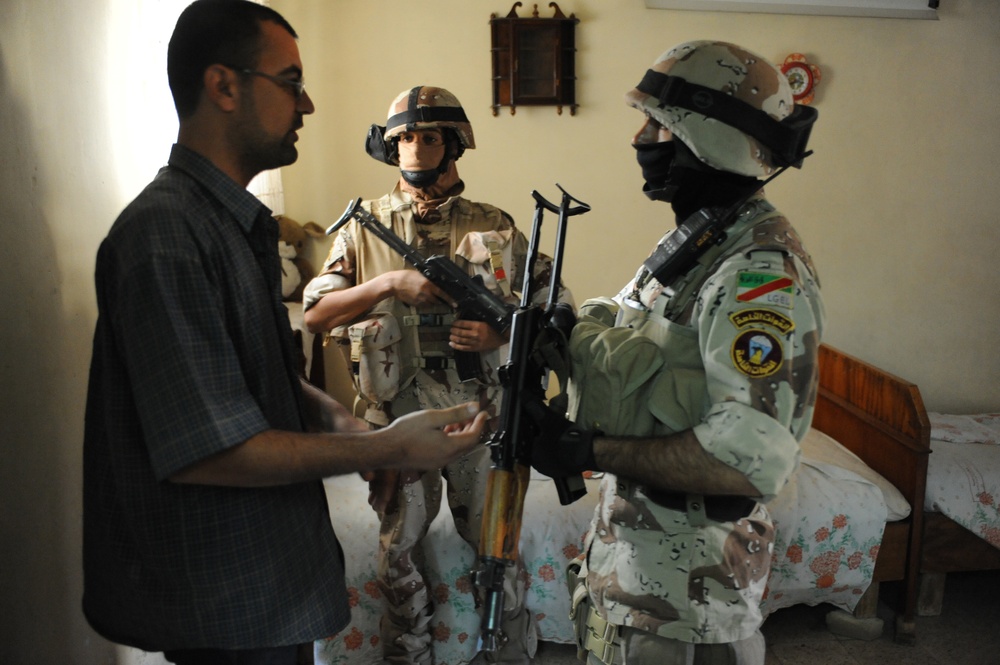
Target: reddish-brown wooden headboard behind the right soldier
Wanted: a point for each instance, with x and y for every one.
(881, 418)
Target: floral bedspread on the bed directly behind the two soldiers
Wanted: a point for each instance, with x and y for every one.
(829, 520)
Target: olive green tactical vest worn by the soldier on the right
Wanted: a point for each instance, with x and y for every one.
(640, 373)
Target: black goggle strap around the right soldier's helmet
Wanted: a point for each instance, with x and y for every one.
(786, 139)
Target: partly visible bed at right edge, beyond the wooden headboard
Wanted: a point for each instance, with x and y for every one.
(962, 502)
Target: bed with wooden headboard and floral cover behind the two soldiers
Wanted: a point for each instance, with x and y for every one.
(843, 526)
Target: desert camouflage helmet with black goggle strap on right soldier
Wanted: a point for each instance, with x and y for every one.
(730, 106)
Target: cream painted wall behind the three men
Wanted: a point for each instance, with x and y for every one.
(897, 205)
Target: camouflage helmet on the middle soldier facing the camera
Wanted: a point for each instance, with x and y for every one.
(427, 107)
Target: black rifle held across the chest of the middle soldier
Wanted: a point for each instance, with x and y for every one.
(475, 301)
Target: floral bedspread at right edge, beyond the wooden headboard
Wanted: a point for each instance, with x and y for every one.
(963, 472)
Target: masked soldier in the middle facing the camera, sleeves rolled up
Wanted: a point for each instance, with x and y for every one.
(403, 338)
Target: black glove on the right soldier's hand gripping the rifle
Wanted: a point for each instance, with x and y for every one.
(559, 447)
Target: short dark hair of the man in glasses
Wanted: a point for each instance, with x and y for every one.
(211, 32)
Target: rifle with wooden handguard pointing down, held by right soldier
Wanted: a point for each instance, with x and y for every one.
(524, 373)
